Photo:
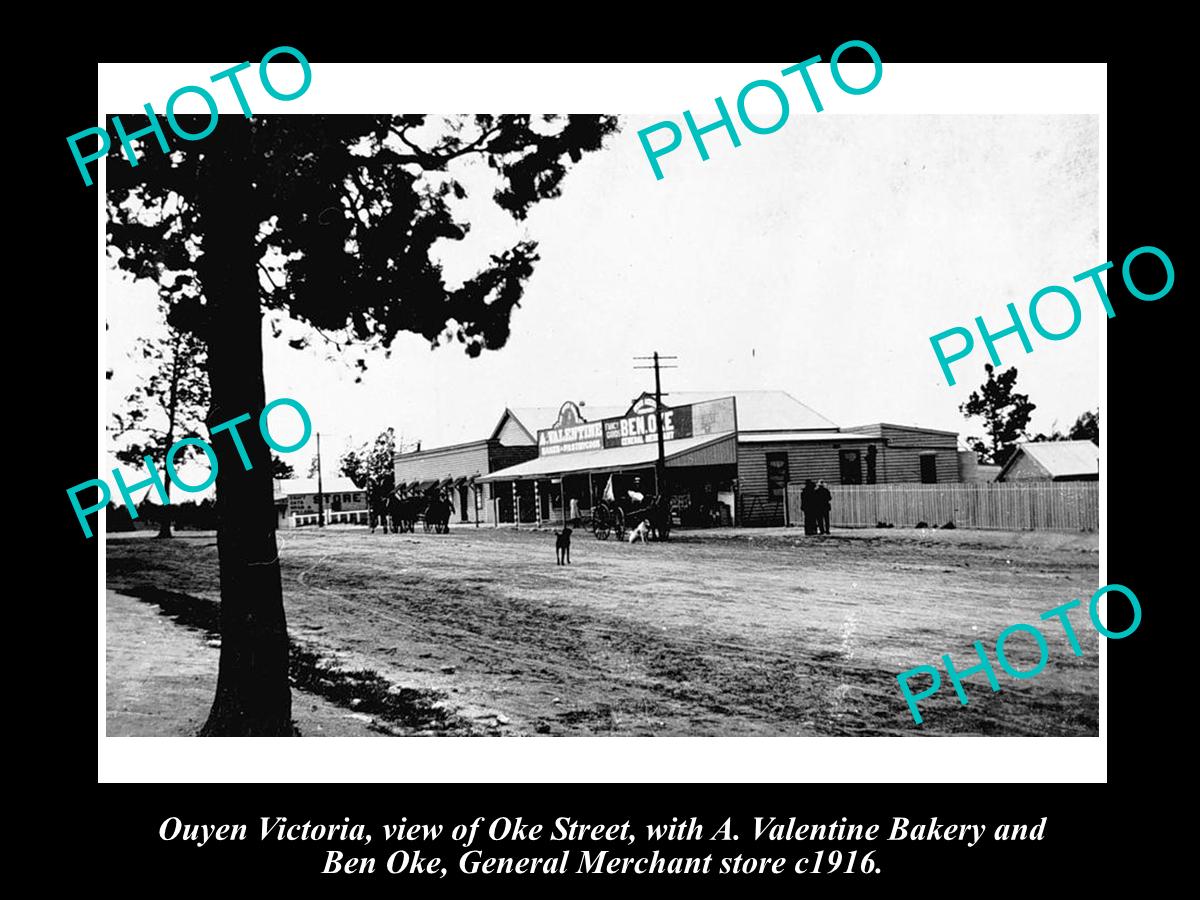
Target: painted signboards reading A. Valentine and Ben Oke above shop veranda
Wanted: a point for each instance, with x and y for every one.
(573, 434)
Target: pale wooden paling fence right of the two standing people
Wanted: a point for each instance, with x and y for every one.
(1041, 506)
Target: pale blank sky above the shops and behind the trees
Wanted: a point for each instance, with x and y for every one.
(818, 262)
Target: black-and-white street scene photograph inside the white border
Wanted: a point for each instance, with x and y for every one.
(557, 448)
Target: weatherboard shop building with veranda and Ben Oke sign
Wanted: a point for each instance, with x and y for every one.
(730, 458)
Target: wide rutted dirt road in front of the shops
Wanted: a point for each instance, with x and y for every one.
(737, 633)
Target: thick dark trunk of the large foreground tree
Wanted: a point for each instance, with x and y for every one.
(253, 697)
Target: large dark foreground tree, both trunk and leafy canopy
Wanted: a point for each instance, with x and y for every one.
(339, 223)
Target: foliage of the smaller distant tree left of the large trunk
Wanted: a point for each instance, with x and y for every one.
(169, 405)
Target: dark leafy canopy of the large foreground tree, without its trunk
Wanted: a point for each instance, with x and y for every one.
(349, 211)
